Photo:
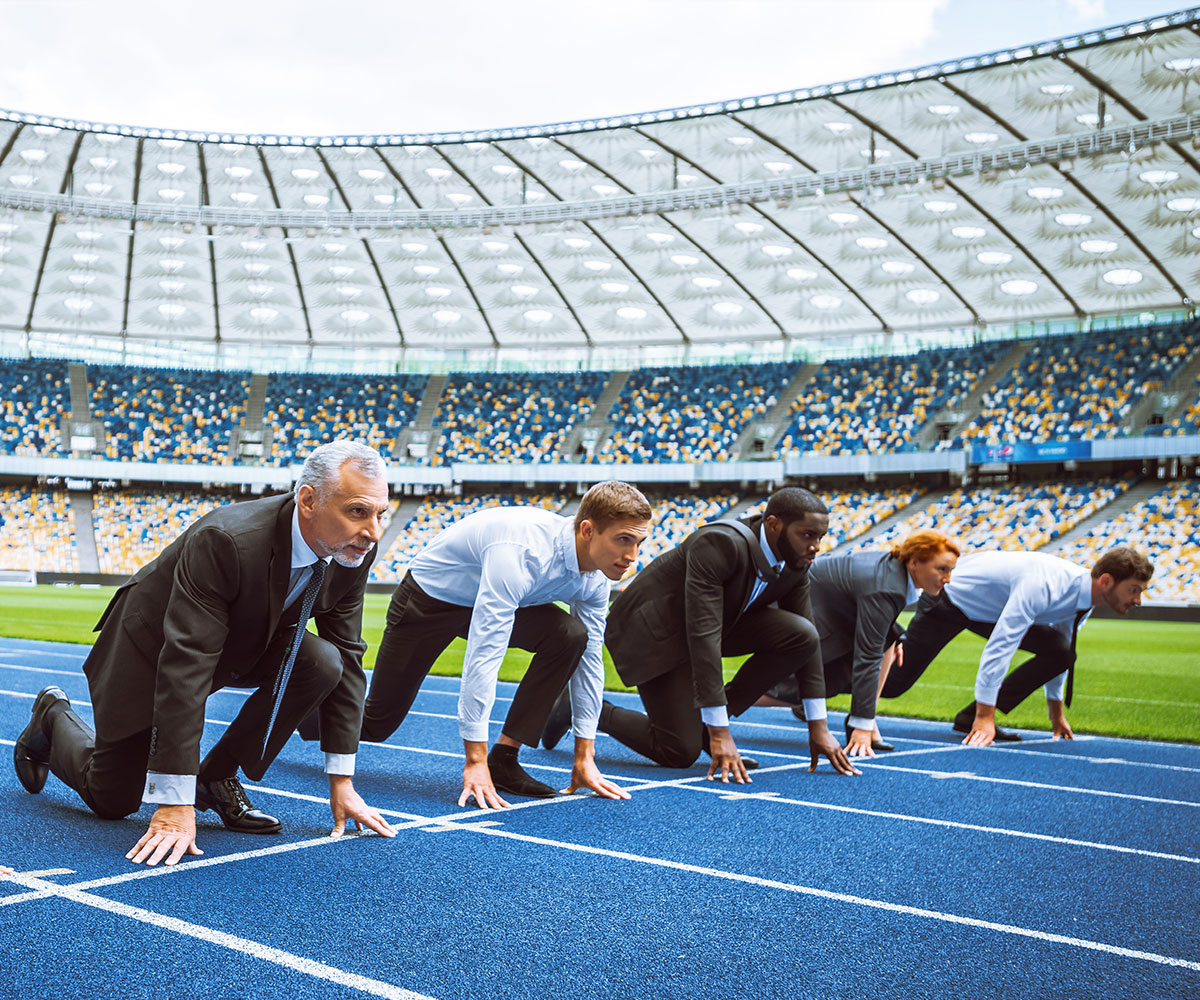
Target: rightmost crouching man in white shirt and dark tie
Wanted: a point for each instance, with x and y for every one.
(1028, 601)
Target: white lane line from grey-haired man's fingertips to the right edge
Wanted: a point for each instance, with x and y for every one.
(859, 901)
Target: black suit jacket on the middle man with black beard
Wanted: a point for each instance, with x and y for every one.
(679, 609)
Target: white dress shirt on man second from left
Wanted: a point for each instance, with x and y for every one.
(496, 561)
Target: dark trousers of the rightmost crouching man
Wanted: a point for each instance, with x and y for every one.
(938, 621)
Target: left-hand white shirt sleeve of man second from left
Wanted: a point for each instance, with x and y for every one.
(502, 584)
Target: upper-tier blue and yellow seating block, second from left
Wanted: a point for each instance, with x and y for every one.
(167, 415)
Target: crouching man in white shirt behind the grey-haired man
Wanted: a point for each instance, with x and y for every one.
(494, 578)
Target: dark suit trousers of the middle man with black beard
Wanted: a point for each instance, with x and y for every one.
(671, 733)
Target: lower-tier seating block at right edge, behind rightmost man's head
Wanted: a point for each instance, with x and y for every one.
(1166, 528)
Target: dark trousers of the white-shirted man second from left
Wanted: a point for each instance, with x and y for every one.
(418, 632)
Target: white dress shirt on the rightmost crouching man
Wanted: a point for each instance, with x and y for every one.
(1018, 590)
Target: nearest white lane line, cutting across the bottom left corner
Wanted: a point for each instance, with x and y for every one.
(254, 949)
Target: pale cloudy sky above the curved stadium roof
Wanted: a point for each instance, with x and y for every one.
(382, 67)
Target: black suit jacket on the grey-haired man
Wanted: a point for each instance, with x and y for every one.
(201, 616)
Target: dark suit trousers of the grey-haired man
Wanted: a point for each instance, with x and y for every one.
(110, 775)
